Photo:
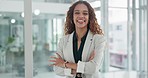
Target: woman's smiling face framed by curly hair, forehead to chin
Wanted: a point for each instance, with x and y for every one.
(81, 16)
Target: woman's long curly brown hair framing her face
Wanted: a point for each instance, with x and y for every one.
(92, 24)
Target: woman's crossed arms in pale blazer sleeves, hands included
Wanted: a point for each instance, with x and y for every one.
(90, 67)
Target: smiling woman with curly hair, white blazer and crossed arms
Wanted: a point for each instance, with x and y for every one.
(80, 51)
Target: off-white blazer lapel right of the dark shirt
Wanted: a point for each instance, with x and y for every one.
(87, 45)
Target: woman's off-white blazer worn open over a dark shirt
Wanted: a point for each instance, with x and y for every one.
(89, 69)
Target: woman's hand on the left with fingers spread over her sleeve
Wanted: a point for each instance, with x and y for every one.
(57, 61)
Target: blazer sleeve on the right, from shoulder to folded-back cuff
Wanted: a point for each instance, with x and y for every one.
(94, 65)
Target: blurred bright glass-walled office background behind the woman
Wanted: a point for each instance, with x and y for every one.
(123, 21)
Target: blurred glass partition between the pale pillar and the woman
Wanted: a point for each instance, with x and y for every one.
(47, 30)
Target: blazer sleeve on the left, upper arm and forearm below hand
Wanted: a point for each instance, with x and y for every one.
(60, 70)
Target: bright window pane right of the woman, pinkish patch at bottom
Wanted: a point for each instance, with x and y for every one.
(118, 38)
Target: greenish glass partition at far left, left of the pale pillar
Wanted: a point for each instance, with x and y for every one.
(11, 40)
